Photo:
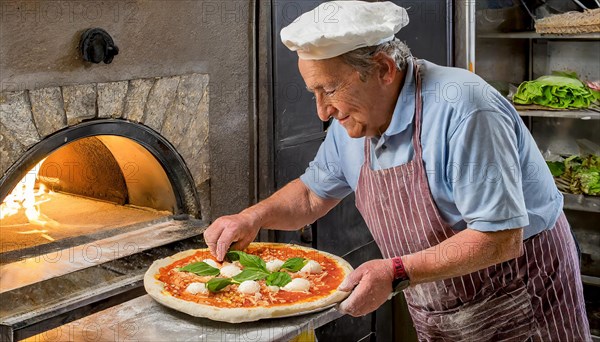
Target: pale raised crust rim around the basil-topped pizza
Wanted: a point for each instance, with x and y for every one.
(155, 289)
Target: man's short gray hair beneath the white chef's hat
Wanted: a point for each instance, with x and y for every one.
(362, 59)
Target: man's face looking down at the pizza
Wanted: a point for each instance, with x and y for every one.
(342, 95)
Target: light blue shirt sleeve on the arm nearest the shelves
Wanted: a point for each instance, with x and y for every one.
(485, 172)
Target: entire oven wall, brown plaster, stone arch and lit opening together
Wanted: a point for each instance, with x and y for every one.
(107, 167)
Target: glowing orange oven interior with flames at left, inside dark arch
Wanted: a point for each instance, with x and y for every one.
(92, 184)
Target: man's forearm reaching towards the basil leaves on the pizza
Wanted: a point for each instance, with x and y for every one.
(290, 208)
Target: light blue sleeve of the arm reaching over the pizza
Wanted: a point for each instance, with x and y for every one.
(324, 175)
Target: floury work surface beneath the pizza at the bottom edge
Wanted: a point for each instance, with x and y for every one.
(143, 319)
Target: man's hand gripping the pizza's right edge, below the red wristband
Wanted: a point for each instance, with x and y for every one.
(372, 284)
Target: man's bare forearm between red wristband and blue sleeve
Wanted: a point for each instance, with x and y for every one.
(464, 253)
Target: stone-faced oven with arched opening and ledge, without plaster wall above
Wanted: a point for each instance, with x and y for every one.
(97, 180)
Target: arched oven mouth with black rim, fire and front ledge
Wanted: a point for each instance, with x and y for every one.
(90, 194)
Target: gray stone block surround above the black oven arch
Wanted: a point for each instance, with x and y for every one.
(176, 107)
